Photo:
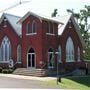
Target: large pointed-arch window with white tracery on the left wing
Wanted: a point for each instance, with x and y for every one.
(5, 49)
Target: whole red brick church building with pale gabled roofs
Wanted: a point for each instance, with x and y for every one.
(32, 41)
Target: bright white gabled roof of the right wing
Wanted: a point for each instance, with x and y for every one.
(65, 19)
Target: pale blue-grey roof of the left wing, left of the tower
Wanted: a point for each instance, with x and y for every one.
(13, 22)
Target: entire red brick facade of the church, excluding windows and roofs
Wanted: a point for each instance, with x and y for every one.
(41, 42)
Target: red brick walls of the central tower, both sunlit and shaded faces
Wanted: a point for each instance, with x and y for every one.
(40, 42)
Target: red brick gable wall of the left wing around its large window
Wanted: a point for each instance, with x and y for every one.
(13, 37)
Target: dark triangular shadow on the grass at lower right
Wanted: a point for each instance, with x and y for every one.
(85, 80)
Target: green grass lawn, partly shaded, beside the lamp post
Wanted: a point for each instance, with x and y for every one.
(78, 83)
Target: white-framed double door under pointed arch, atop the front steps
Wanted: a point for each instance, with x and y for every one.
(31, 58)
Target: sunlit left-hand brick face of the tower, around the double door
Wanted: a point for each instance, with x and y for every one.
(34, 41)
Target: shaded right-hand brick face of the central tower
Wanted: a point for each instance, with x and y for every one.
(49, 41)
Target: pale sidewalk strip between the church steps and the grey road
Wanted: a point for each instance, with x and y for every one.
(28, 77)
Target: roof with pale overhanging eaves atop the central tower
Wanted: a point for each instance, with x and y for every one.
(41, 17)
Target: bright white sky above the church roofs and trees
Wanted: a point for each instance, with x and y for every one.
(44, 7)
